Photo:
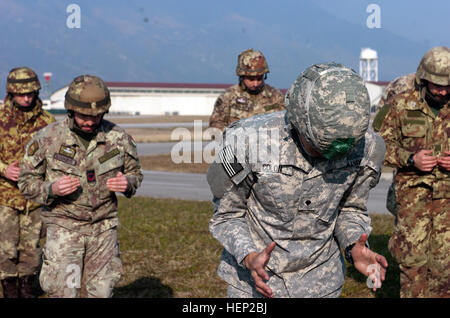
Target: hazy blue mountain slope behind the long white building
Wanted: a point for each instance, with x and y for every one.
(177, 41)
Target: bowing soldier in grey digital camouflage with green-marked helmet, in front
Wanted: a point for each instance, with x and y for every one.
(283, 218)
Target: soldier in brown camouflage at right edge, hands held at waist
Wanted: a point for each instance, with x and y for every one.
(416, 131)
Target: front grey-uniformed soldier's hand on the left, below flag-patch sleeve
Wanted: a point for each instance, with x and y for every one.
(256, 262)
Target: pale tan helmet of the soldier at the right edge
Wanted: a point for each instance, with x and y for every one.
(435, 66)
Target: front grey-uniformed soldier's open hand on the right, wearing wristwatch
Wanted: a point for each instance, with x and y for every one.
(369, 263)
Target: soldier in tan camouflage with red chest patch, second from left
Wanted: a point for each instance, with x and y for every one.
(74, 168)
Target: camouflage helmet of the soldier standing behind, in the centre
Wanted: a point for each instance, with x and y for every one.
(251, 63)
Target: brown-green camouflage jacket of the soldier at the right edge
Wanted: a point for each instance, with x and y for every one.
(409, 127)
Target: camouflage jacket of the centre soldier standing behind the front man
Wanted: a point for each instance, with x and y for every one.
(236, 103)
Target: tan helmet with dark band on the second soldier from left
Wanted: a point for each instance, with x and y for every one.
(88, 95)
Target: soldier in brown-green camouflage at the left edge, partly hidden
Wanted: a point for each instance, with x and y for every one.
(21, 116)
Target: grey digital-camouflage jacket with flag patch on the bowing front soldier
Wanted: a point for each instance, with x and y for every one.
(308, 207)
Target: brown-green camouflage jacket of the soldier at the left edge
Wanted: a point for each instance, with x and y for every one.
(16, 130)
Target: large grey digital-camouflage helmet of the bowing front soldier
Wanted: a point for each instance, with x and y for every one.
(329, 105)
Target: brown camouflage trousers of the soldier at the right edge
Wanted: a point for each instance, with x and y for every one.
(421, 243)
